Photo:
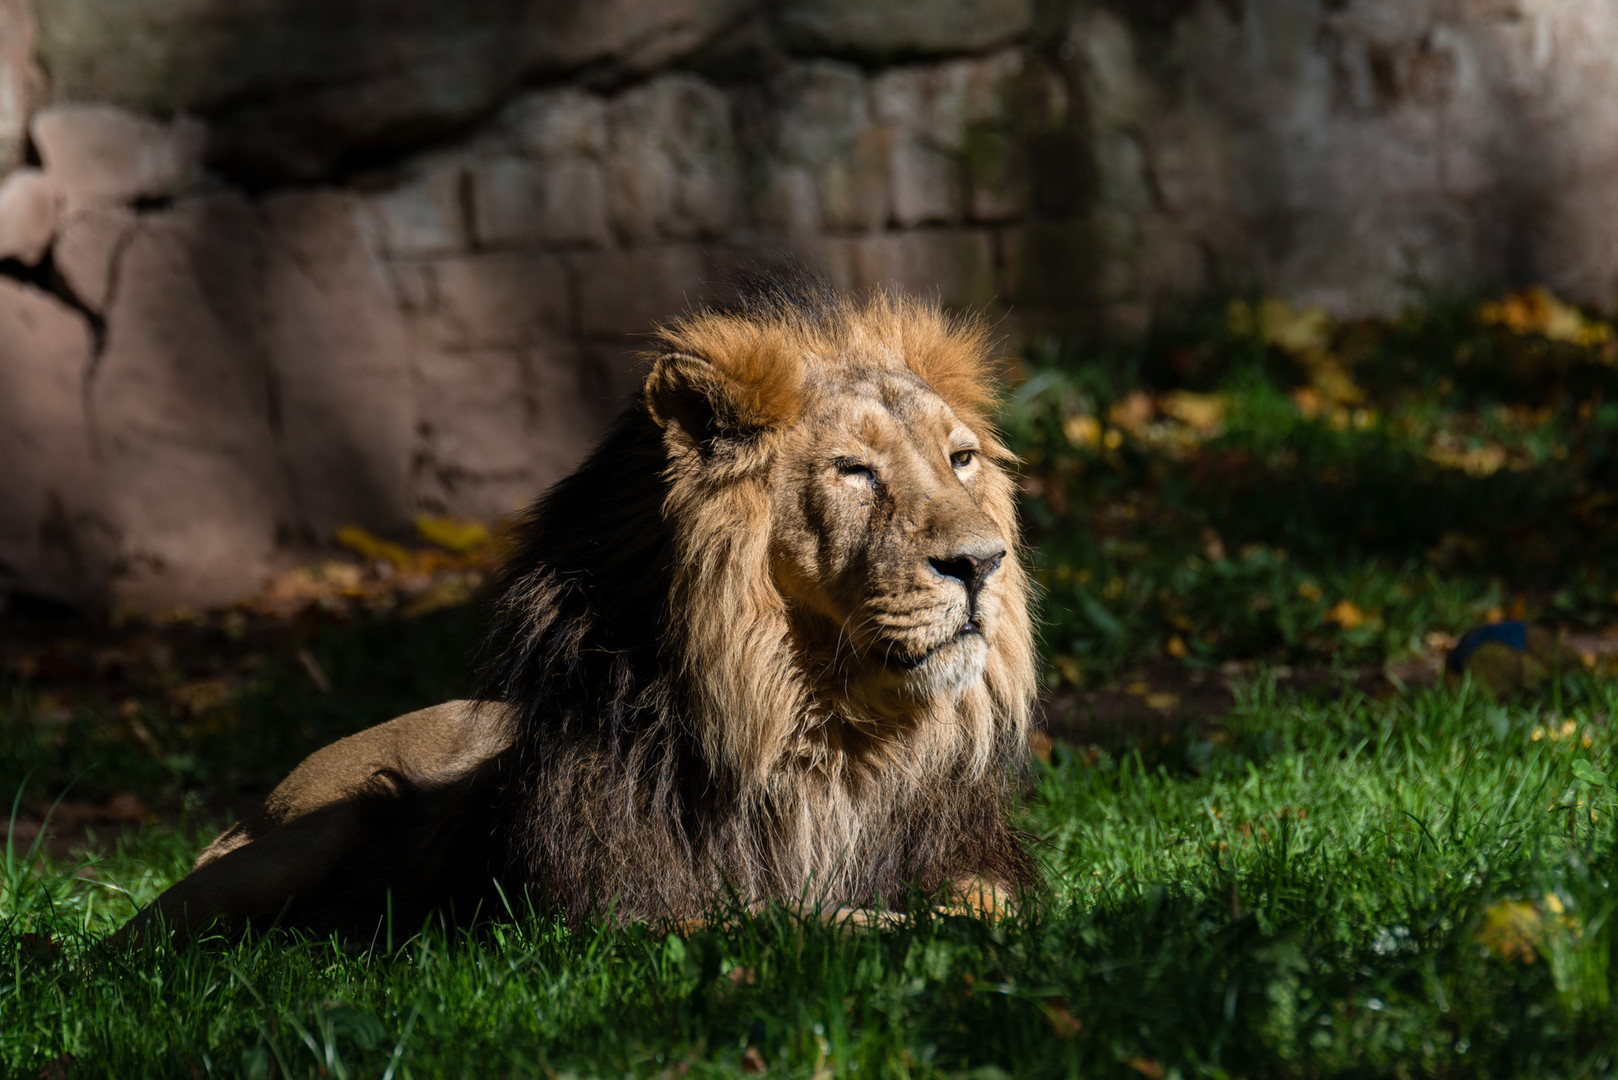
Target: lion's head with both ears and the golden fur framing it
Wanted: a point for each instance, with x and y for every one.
(845, 540)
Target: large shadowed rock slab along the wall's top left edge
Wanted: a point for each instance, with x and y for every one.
(313, 85)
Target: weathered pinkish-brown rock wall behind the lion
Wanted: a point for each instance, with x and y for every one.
(268, 270)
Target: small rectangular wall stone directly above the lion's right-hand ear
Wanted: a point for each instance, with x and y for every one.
(957, 266)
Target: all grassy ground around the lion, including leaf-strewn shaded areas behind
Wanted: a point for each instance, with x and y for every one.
(1311, 888)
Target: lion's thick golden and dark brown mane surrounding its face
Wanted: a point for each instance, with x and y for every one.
(661, 710)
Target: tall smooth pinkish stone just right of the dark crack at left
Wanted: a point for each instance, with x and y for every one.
(182, 410)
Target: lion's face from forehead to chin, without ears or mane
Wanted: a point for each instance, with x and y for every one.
(881, 540)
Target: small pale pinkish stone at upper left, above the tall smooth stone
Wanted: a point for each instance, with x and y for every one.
(100, 155)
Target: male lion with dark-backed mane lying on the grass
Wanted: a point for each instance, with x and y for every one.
(771, 642)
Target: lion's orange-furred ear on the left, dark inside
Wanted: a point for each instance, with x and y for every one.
(731, 396)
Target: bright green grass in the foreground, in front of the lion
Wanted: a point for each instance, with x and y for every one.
(1307, 893)
